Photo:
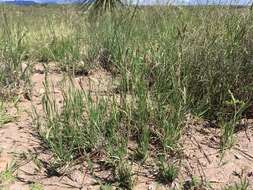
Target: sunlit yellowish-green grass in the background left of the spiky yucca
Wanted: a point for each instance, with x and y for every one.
(44, 34)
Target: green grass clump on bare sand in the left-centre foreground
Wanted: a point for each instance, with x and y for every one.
(80, 118)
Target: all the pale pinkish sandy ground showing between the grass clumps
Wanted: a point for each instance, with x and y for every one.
(201, 158)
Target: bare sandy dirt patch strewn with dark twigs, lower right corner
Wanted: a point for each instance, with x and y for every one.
(204, 160)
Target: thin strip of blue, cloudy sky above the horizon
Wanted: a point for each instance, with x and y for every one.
(152, 2)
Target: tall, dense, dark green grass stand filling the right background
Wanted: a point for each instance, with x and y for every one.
(198, 60)
